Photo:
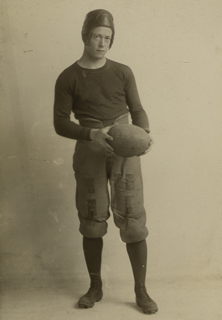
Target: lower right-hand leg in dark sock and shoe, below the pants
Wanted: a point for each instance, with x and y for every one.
(138, 257)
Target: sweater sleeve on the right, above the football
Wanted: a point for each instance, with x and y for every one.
(138, 114)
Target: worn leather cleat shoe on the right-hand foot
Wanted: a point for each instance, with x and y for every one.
(144, 301)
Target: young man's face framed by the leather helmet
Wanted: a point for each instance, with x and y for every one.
(99, 42)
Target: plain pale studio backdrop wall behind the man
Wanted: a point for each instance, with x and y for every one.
(174, 48)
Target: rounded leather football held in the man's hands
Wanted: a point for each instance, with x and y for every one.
(128, 140)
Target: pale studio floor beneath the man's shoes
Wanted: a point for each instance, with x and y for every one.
(176, 299)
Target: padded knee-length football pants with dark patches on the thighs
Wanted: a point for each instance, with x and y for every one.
(107, 180)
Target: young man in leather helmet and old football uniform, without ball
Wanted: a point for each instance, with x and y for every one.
(102, 93)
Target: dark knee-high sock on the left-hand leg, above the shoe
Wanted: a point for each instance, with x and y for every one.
(93, 256)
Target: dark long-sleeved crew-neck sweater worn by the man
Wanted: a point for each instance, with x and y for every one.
(104, 94)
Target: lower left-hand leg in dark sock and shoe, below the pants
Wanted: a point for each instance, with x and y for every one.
(93, 256)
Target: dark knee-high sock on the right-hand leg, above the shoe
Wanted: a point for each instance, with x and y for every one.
(138, 257)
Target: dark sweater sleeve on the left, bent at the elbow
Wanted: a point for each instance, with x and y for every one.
(63, 102)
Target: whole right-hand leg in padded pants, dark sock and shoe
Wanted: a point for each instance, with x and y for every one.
(130, 217)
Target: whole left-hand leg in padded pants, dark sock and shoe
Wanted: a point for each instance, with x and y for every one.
(92, 202)
